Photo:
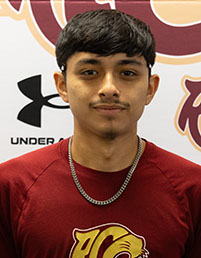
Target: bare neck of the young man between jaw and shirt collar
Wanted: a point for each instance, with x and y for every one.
(105, 154)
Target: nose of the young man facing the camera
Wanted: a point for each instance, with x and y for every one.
(108, 89)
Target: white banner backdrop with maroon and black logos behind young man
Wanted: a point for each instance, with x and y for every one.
(32, 115)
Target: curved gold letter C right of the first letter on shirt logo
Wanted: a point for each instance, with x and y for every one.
(114, 231)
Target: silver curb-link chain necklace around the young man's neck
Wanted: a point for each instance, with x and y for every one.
(123, 186)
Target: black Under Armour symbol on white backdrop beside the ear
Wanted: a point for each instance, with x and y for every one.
(31, 113)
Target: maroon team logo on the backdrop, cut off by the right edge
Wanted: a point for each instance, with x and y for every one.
(189, 117)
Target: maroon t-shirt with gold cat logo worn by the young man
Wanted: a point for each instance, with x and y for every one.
(43, 215)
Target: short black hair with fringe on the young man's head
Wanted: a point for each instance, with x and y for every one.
(105, 32)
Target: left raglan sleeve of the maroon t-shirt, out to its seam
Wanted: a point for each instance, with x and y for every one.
(16, 178)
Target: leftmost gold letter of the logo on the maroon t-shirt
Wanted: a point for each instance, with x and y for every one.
(81, 250)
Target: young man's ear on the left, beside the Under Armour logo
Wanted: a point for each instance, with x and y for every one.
(61, 85)
